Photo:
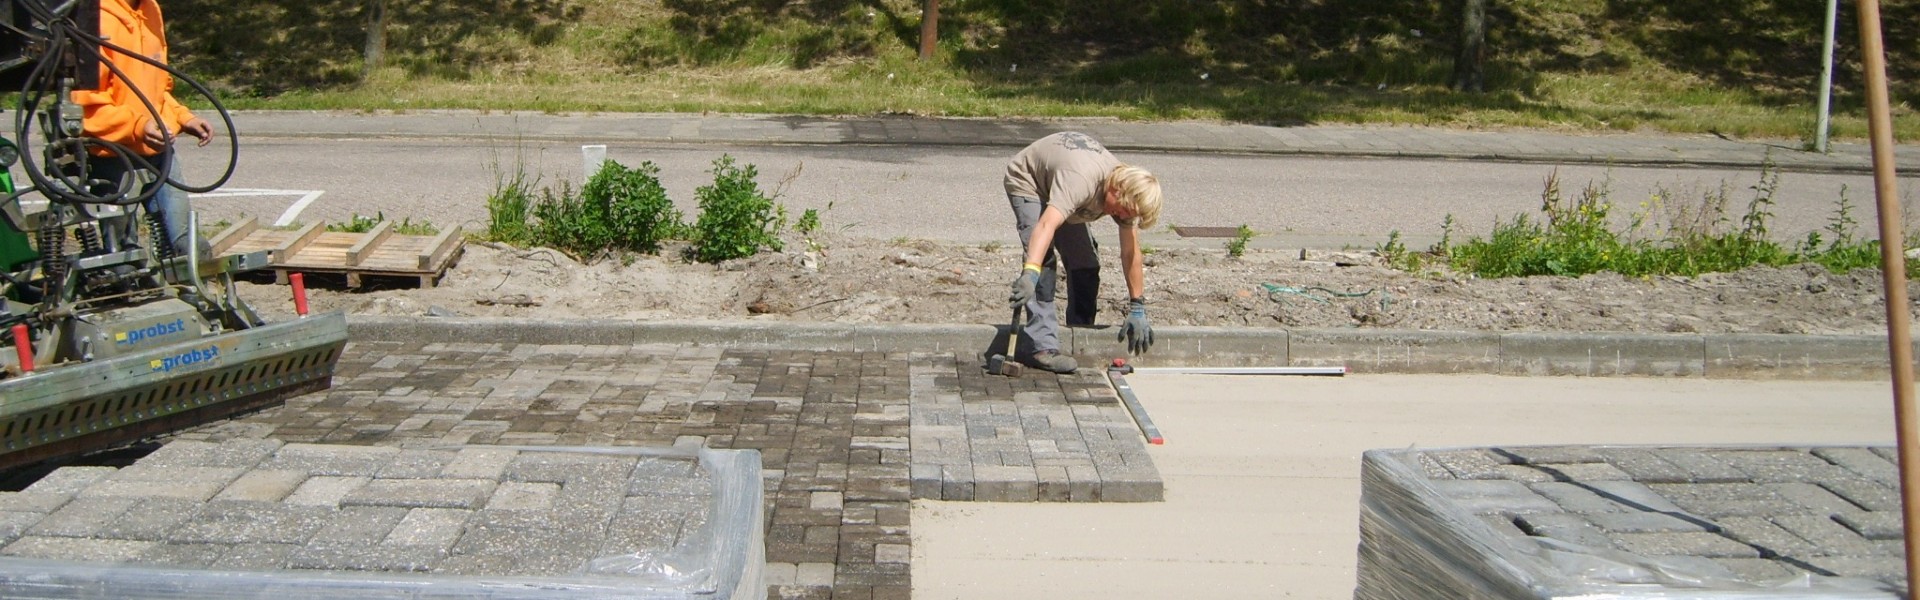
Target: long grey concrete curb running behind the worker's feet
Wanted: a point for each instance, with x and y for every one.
(1362, 351)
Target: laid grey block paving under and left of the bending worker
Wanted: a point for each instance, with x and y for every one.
(848, 439)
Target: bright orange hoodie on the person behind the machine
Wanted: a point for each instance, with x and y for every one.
(114, 112)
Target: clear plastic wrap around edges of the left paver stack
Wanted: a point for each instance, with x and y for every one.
(723, 559)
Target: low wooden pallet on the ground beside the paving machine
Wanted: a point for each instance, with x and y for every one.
(377, 253)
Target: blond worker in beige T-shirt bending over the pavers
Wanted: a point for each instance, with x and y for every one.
(1059, 186)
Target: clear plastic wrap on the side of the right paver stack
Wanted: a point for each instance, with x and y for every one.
(1416, 543)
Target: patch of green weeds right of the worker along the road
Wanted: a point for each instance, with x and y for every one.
(1575, 239)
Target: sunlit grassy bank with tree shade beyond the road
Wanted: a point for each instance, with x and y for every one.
(1735, 68)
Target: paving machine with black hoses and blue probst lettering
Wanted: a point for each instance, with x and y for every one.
(110, 336)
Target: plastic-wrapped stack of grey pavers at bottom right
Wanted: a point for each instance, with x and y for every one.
(1629, 522)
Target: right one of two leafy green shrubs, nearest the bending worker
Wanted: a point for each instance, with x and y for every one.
(736, 218)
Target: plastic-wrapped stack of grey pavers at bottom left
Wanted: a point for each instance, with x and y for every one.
(291, 522)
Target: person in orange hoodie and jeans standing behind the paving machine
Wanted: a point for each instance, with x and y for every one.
(116, 114)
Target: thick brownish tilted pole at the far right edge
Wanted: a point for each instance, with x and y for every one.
(1894, 270)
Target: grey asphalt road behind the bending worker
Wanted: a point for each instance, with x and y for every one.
(953, 193)
